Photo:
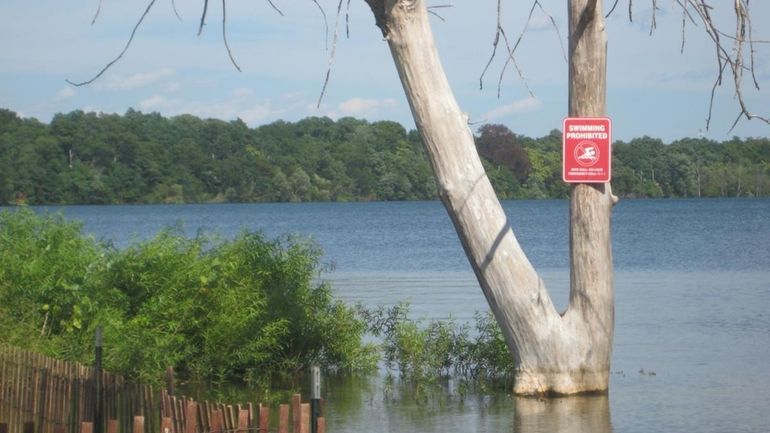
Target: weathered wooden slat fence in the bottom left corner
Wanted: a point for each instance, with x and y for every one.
(39, 394)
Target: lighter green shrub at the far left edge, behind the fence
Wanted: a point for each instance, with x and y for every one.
(46, 272)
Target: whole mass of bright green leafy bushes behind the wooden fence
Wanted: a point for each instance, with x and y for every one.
(241, 309)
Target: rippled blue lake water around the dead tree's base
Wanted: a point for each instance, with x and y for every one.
(692, 339)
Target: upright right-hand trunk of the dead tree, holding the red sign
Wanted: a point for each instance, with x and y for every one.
(592, 276)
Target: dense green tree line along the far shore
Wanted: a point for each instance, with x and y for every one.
(89, 158)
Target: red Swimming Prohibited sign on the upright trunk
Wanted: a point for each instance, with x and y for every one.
(586, 150)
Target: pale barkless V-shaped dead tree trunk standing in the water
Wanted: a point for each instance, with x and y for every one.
(555, 353)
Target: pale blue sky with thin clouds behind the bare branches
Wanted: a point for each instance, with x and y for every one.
(652, 88)
